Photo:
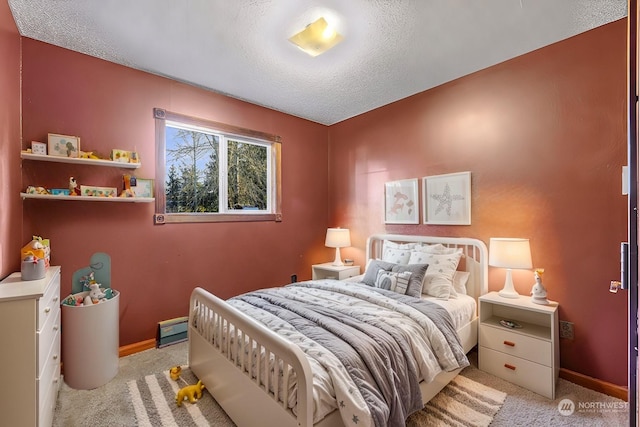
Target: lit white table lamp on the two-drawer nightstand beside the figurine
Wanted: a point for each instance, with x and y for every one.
(507, 252)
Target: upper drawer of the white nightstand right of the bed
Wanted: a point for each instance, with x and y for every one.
(515, 344)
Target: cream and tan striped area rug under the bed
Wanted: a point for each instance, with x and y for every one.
(463, 402)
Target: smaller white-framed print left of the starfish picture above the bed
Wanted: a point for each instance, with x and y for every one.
(401, 204)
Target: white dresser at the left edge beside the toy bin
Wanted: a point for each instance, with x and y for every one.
(30, 355)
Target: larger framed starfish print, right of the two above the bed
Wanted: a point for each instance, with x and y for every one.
(447, 199)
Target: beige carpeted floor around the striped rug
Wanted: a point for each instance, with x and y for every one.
(110, 404)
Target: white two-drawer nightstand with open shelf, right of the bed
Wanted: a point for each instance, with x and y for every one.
(527, 356)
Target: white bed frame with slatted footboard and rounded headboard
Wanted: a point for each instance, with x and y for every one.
(219, 334)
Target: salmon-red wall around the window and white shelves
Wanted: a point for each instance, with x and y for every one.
(156, 266)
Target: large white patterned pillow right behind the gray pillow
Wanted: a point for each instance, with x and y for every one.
(438, 281)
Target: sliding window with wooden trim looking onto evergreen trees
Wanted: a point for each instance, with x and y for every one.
(210, 172)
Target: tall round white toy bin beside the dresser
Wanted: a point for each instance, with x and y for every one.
(90, 342)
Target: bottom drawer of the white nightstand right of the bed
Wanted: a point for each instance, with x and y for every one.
(533, 376)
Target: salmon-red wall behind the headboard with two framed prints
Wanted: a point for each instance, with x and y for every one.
(544, 136)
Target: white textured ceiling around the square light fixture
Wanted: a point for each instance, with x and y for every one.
(392, 48)
